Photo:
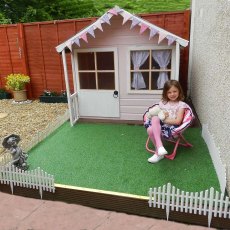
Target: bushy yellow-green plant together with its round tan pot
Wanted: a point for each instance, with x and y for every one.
(17, 83)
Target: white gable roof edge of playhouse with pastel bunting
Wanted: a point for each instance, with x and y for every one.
(136, 21)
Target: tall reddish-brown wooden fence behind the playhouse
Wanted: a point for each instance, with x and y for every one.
(30, 48)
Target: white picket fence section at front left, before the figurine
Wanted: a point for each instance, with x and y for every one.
(35, 179)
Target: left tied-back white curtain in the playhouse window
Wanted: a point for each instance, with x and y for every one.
(138, 59)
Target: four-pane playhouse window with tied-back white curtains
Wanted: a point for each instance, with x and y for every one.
(149, 69)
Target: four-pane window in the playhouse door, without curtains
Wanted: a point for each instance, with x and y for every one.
(96, 70)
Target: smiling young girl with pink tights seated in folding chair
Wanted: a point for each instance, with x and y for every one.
(173, 108)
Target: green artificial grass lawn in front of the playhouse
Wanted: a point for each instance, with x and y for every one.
(113, 157)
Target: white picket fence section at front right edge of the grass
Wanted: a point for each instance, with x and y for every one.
(206, 202)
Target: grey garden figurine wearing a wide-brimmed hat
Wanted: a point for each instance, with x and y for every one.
(19, 157)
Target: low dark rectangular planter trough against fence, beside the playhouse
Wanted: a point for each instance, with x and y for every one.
(53, 97)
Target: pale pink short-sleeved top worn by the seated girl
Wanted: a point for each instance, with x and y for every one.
(172, 107)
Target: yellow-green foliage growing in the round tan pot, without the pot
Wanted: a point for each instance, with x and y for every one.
(16, 81)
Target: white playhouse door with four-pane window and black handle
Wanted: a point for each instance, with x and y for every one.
(97, 79)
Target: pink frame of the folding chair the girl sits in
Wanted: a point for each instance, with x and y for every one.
(178, 141)
